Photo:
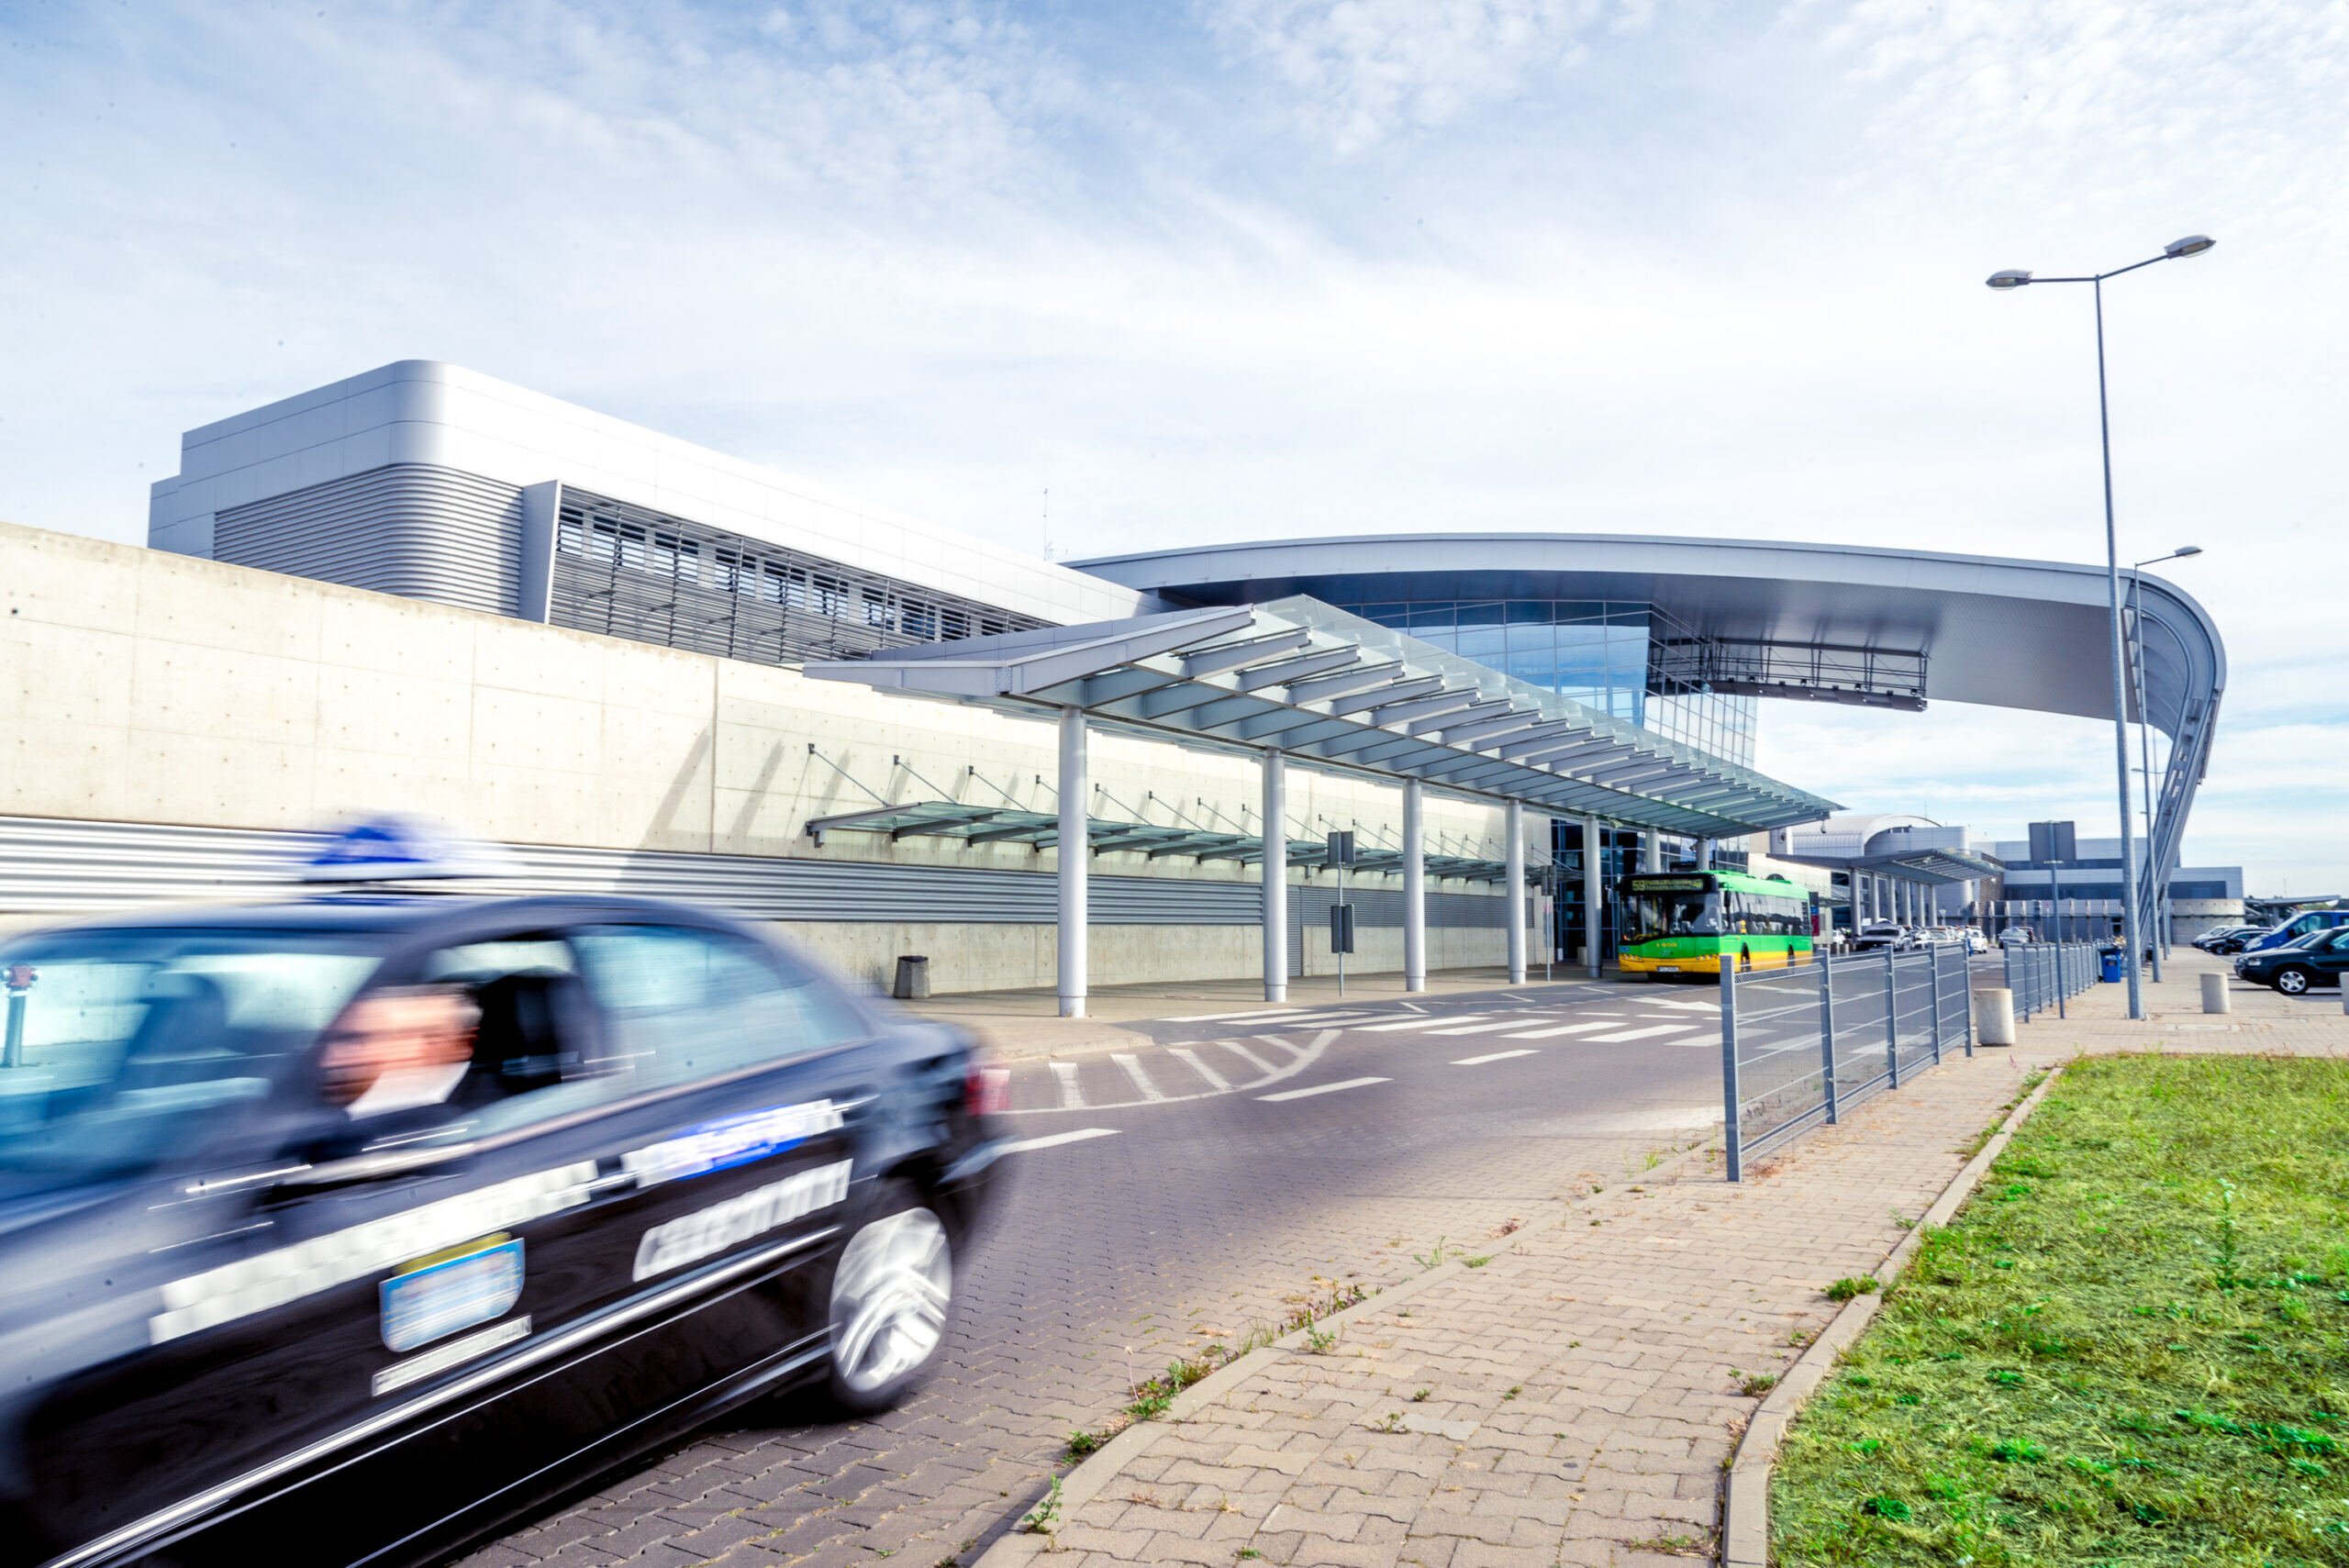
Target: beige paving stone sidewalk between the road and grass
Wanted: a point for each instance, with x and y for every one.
(1577, 1400)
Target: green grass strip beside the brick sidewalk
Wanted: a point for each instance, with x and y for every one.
(2132, 1346)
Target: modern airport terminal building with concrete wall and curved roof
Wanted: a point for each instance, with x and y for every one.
(657, 668)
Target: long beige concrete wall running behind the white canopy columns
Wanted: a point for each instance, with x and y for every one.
(149, 687)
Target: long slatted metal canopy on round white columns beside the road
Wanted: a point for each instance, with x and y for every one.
(1298, 680)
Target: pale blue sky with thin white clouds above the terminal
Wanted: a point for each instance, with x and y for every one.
(1103, 278)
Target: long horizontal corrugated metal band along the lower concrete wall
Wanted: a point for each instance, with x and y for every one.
(86, 867)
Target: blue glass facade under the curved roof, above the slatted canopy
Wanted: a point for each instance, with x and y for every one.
(1589, 651)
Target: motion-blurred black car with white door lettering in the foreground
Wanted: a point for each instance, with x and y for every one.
(349, 1229)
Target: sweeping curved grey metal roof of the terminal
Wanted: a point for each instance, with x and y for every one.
(2021, 635)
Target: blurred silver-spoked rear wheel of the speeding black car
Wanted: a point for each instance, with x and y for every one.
(891, 1302)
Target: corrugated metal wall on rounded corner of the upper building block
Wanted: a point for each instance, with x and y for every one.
(403, 529)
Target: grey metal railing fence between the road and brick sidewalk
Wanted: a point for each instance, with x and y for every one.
(1805, 1046)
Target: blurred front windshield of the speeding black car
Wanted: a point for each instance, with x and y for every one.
(128, 1046)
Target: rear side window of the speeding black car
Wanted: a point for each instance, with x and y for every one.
(685, 1003)
